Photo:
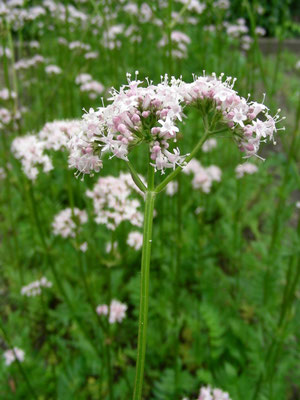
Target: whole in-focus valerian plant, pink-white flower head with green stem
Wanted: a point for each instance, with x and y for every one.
(152, 114)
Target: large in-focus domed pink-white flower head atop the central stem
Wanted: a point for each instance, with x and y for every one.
(152, 114)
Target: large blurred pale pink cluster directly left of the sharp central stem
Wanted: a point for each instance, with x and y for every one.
(113, 203)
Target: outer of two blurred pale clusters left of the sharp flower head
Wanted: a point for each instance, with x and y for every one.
(30, 151)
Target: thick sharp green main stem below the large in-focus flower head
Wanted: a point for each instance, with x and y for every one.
(144, 291)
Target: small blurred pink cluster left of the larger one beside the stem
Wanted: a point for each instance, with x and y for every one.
(67, 221)
